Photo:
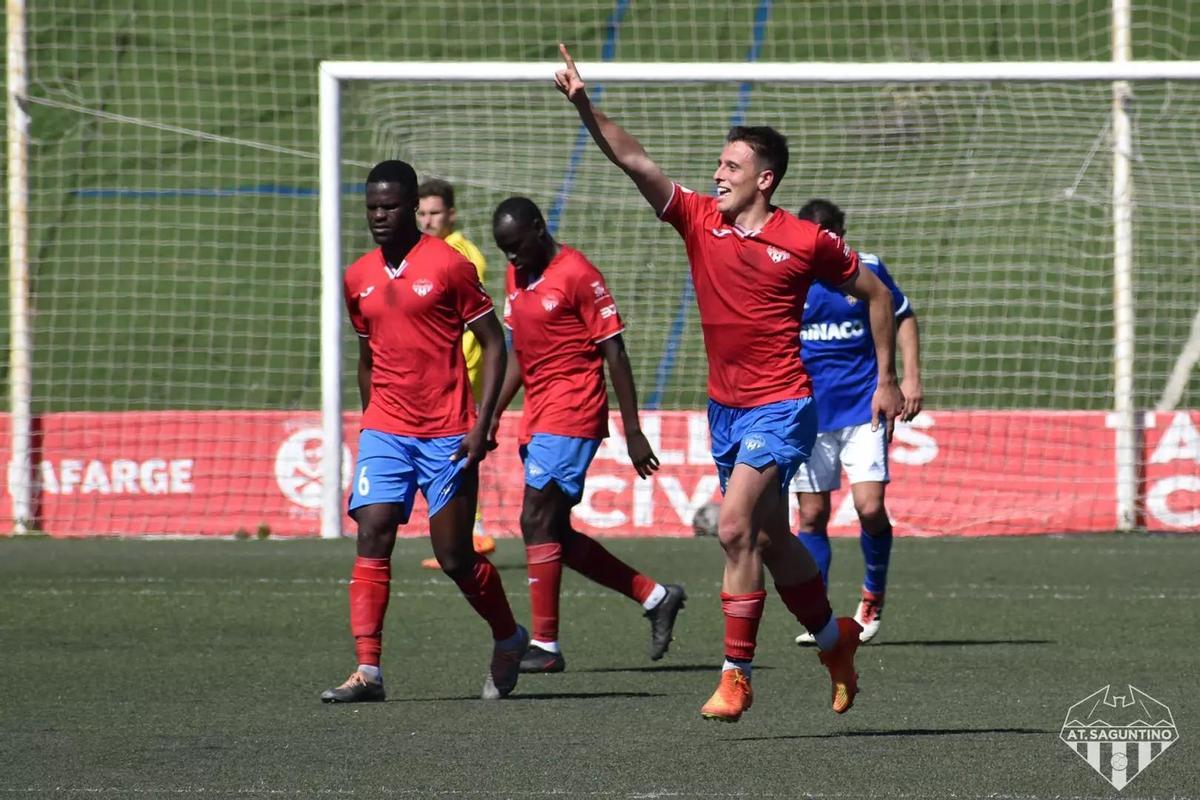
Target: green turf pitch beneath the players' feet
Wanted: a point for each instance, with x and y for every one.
(191, 670)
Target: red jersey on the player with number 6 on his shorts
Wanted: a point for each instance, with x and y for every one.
(413, 316)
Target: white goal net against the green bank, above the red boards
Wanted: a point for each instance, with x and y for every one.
(991, 203)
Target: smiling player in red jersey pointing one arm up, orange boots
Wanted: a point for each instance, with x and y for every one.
(752, 266)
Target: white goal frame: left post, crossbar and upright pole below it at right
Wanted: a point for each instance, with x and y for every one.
(1120, 73)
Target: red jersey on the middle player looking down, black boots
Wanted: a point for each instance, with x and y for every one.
(557, 323)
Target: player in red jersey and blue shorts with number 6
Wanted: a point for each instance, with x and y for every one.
(410, 300)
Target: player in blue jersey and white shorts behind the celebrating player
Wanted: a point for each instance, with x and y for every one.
(839, 352)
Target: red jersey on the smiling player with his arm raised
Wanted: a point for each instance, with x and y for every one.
(751, 290)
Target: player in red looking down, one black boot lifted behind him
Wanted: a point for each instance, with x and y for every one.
(566, 327)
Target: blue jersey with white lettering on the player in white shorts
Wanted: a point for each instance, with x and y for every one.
(839, 352)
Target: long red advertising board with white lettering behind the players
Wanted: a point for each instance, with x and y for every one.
(955, 473)
